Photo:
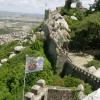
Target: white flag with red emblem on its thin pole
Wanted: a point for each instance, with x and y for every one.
(33, 64)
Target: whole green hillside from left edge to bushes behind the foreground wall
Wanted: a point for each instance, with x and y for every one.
(12, 72)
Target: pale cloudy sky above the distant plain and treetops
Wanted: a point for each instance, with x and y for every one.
(33, 6)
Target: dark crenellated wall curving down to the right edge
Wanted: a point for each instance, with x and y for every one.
(84, 75)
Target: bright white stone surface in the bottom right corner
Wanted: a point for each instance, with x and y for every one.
(93, 96)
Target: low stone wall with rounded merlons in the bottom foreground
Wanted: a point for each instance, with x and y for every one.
(43, 92)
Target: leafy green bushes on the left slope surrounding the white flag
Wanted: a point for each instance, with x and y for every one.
(12, 73)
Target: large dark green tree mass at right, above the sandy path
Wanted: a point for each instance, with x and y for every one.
(86, 33)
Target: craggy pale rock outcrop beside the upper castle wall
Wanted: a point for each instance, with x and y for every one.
(58, 29)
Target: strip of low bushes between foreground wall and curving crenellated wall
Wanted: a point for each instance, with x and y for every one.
(71, 82)
